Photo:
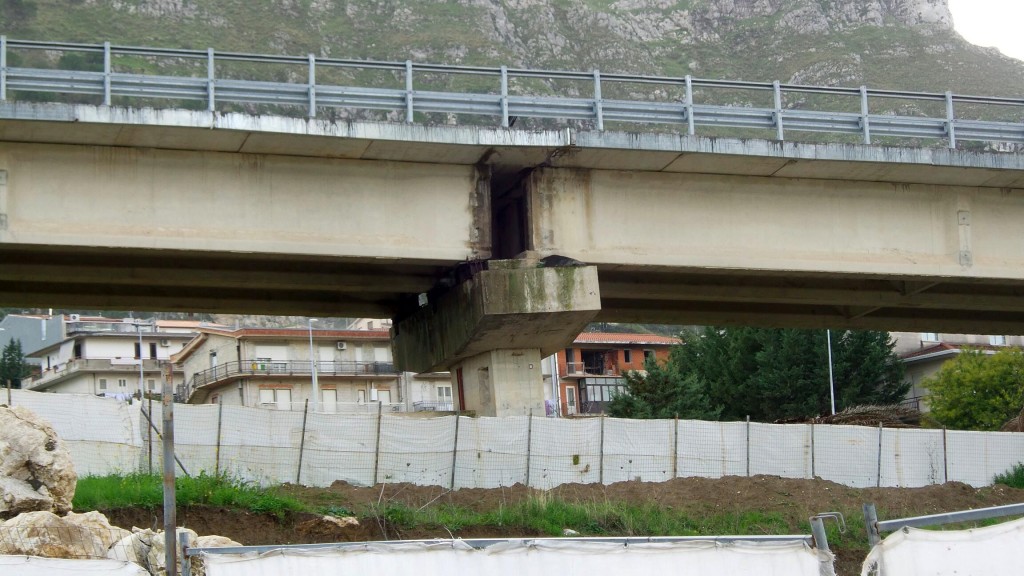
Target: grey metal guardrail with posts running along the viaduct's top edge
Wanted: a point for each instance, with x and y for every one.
(505, 103)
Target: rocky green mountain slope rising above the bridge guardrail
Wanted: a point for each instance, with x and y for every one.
(901, 45)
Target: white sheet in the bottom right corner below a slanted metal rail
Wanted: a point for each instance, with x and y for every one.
(994, 550)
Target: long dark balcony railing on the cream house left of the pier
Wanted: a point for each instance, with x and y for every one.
(286, 368)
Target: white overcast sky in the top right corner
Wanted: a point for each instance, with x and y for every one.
(992, 23)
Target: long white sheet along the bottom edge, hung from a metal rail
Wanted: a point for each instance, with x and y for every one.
(518, 558)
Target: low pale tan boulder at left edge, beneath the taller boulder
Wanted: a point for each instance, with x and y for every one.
(46, 534)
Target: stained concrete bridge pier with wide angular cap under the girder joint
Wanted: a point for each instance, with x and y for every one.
(495, 327)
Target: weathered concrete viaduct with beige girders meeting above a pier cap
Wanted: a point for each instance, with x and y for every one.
(444, 228)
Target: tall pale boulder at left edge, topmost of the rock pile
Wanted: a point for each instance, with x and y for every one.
(35, 466)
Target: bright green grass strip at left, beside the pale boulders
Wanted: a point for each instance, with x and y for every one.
(107, 492)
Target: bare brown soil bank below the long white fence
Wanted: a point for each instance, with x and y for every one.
(795, 501)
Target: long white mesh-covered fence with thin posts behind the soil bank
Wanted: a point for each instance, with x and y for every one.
(269, 446)
